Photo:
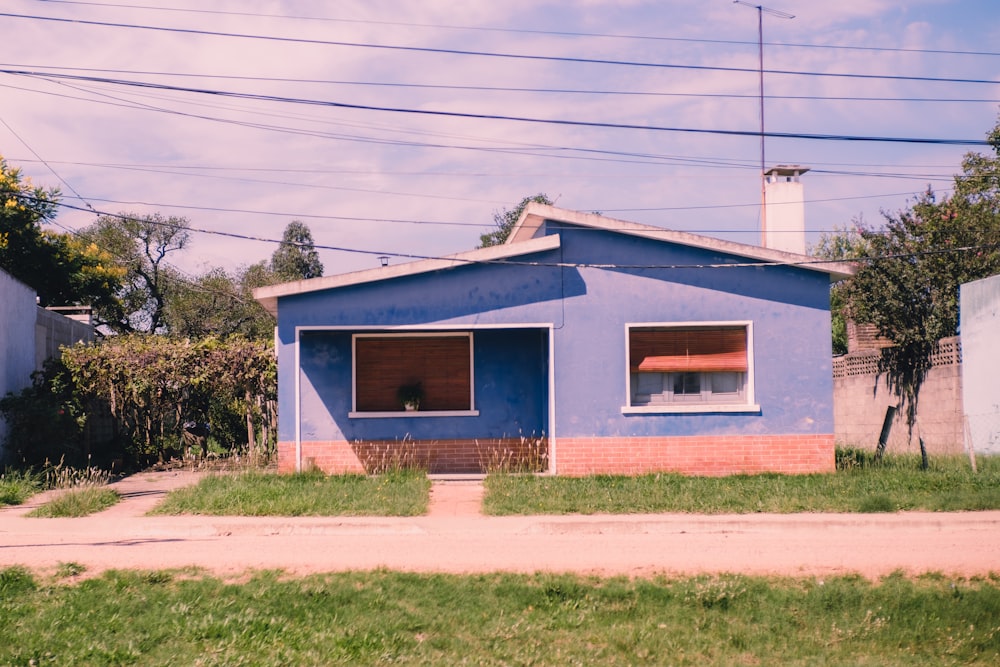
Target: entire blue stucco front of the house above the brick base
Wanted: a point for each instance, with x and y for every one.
(587, 309)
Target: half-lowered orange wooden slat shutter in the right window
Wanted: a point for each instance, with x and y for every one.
(713, 349)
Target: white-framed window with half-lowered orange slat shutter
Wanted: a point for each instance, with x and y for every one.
(689, 368)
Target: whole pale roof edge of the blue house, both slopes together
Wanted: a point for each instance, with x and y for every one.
(523, 241)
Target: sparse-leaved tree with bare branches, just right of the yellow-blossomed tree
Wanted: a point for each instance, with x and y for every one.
(140, 246)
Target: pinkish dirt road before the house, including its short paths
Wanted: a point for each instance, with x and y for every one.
(454, 537)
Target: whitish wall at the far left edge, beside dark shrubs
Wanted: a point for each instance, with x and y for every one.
(17, 338)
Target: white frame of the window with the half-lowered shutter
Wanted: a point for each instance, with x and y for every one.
(748, 402)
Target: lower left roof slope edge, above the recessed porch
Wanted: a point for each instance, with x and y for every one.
(268, 296)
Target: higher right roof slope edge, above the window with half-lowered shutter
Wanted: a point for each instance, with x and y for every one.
(535, 214)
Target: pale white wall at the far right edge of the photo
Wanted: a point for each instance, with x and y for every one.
(979, 310)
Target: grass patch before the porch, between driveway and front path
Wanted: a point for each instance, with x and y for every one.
(254, 493)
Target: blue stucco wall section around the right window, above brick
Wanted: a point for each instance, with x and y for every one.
(789, 308)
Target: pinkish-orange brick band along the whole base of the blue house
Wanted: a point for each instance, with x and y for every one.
(689, 455)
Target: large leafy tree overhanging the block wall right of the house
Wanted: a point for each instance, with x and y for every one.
(907, 283)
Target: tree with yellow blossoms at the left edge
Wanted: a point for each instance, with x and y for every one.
(62, 269)
